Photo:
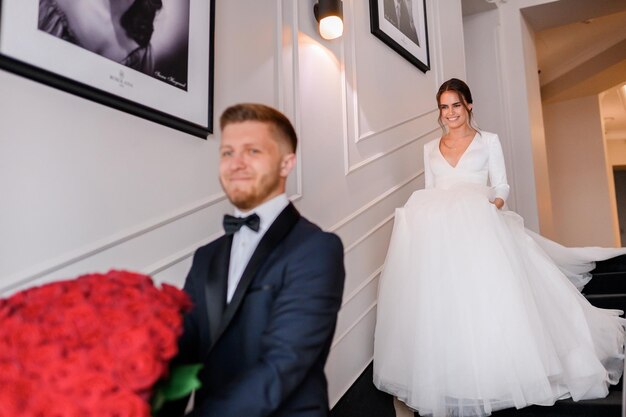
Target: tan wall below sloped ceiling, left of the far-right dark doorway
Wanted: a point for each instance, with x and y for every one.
(583, 198)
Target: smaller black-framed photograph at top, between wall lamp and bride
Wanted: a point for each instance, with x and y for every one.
(402, 25)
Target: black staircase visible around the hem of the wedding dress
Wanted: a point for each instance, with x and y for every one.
(607, 289)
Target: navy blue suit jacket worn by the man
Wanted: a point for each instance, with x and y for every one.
(264, 352)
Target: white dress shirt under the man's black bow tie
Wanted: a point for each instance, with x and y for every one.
(246, 240)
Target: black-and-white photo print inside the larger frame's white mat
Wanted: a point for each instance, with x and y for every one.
(150, 36)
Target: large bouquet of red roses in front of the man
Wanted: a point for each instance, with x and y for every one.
(92, 346)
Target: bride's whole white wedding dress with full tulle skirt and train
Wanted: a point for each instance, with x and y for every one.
(476, 313)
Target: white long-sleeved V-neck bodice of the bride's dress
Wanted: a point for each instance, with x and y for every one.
(482, 163)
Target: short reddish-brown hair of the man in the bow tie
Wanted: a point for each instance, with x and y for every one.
(261, 113)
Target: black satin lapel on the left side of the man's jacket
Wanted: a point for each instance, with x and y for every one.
(215, 285)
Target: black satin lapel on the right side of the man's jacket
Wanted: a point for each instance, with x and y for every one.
(272, 238)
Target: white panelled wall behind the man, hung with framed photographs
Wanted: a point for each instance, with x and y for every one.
(88, 188)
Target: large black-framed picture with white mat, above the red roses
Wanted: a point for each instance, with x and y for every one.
(165, 75)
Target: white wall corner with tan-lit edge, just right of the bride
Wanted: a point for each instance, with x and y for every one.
(501, 67)
